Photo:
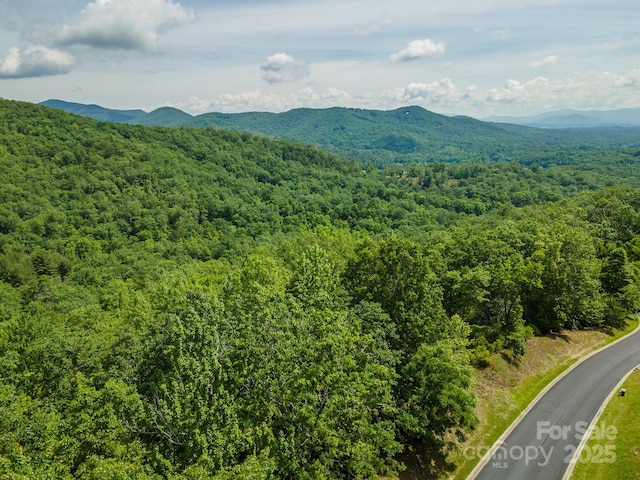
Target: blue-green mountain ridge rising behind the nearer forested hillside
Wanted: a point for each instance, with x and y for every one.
(404, 135)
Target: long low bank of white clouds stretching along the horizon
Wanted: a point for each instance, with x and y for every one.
(582, 91)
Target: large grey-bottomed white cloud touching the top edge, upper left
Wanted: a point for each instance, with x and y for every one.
(124, 24)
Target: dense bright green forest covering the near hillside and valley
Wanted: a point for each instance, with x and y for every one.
(196, 303)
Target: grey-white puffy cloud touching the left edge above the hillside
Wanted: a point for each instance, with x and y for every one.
(35, 61)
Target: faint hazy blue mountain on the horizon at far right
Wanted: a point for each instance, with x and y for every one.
(628, 117)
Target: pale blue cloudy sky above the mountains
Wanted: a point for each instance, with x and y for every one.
(463, 57)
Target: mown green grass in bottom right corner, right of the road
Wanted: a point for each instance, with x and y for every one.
(613, 450)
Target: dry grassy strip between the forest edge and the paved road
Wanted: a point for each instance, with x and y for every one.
(505, 390)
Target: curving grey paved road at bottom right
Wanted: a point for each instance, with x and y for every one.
(542, 444)
